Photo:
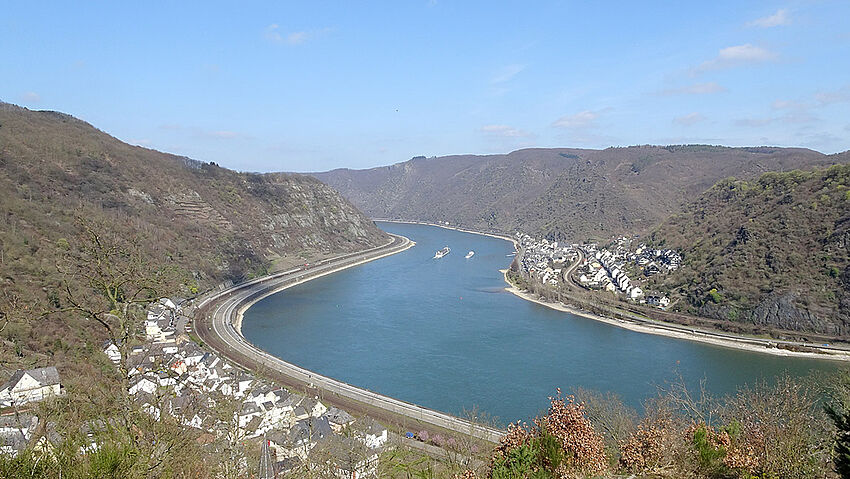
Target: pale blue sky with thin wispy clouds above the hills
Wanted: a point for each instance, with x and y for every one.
(313, 86)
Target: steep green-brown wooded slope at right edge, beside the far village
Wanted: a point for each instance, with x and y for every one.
(773, 251)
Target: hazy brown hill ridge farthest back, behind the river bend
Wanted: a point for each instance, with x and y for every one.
(572, 194)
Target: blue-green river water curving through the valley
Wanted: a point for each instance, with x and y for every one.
(443, 333)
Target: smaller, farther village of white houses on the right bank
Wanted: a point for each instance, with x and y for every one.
(619, 267)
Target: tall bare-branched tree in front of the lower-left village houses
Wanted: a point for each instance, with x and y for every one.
(108, 280)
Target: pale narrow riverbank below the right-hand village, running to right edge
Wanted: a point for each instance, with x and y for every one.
(671, 331)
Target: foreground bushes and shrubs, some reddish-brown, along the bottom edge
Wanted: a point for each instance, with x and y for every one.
(793, 428)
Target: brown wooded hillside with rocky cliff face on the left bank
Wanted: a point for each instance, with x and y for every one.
(213, 223)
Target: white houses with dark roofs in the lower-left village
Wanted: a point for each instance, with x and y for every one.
(170, 374)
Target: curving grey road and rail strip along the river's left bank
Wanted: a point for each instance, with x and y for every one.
(219, 313)
